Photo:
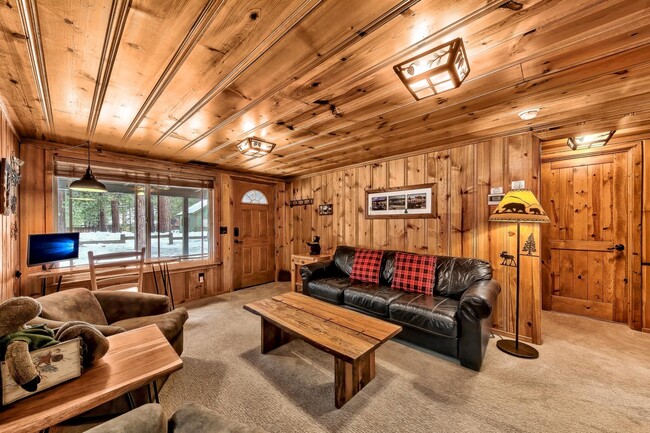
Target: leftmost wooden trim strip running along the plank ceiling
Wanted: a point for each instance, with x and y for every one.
(29, 18)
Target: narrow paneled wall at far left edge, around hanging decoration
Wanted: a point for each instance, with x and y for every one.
(9, 252)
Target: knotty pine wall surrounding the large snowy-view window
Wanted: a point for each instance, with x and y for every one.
(37, 204)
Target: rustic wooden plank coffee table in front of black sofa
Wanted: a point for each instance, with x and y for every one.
(351, 337)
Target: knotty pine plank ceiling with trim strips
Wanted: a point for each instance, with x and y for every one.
(188, 80)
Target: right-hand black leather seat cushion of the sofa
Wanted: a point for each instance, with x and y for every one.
(431, 313)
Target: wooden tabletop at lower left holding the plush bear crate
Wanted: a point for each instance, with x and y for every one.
(135, 358)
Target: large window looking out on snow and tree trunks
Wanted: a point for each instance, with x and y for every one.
(171, 221)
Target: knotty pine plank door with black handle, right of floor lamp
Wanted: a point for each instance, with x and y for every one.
(588, 244)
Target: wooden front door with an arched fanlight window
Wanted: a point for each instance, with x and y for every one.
(253, 234)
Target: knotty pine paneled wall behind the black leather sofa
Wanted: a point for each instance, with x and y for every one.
(463, 177)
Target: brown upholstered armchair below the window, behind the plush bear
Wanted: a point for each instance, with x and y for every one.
(114, 311)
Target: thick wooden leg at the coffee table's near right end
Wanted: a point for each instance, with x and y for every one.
(349, 379)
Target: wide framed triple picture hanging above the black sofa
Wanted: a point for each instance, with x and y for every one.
(413, 201)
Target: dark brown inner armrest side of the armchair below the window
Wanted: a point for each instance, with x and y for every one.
(119, 305)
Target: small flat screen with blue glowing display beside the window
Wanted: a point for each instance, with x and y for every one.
(52, 247)
